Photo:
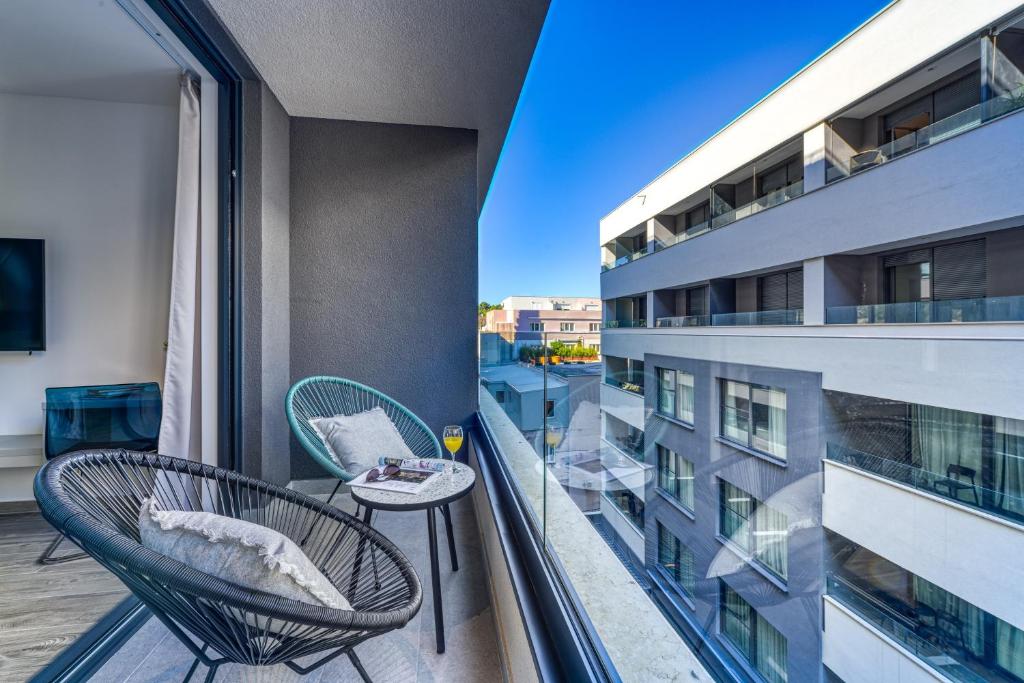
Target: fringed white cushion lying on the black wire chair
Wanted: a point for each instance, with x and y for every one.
(249, 556)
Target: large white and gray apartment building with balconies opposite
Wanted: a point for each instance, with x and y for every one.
(814, 336)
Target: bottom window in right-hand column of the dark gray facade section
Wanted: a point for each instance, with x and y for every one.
(758, 642)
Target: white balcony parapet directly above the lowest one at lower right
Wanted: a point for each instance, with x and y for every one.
(941, 542)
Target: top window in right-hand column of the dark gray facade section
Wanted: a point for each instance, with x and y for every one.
(754, 416)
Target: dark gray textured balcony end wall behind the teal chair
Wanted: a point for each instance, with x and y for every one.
(385, 264)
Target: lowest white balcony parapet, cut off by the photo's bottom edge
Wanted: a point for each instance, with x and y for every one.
(860, 654)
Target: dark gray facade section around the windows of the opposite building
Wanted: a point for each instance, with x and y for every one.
(794, 489)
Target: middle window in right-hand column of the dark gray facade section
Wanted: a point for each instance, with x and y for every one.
(758, 530)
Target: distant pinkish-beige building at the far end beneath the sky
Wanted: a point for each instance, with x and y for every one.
(523, 321)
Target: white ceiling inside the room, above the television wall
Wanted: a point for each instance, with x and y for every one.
(81, 49)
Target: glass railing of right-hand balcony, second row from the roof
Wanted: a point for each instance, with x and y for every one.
(988, 310)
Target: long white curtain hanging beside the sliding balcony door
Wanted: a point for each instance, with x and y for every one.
(180, 432)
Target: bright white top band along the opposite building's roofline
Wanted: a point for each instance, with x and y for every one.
(893, 44)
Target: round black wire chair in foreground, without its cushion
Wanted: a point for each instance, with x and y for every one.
(95, 498)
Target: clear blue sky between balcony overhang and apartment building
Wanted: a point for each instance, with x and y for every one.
(619, 92)
